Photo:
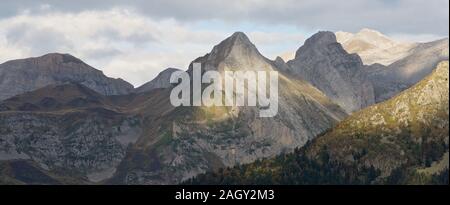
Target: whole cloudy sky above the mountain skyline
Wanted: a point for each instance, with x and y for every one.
(136, 39)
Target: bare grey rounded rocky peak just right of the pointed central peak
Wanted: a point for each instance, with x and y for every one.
(341, 76)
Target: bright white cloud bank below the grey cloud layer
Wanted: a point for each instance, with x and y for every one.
(121, 42)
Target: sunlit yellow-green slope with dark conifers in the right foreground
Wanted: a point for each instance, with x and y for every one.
(403, 140)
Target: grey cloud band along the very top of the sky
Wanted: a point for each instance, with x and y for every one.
(389, 16)
